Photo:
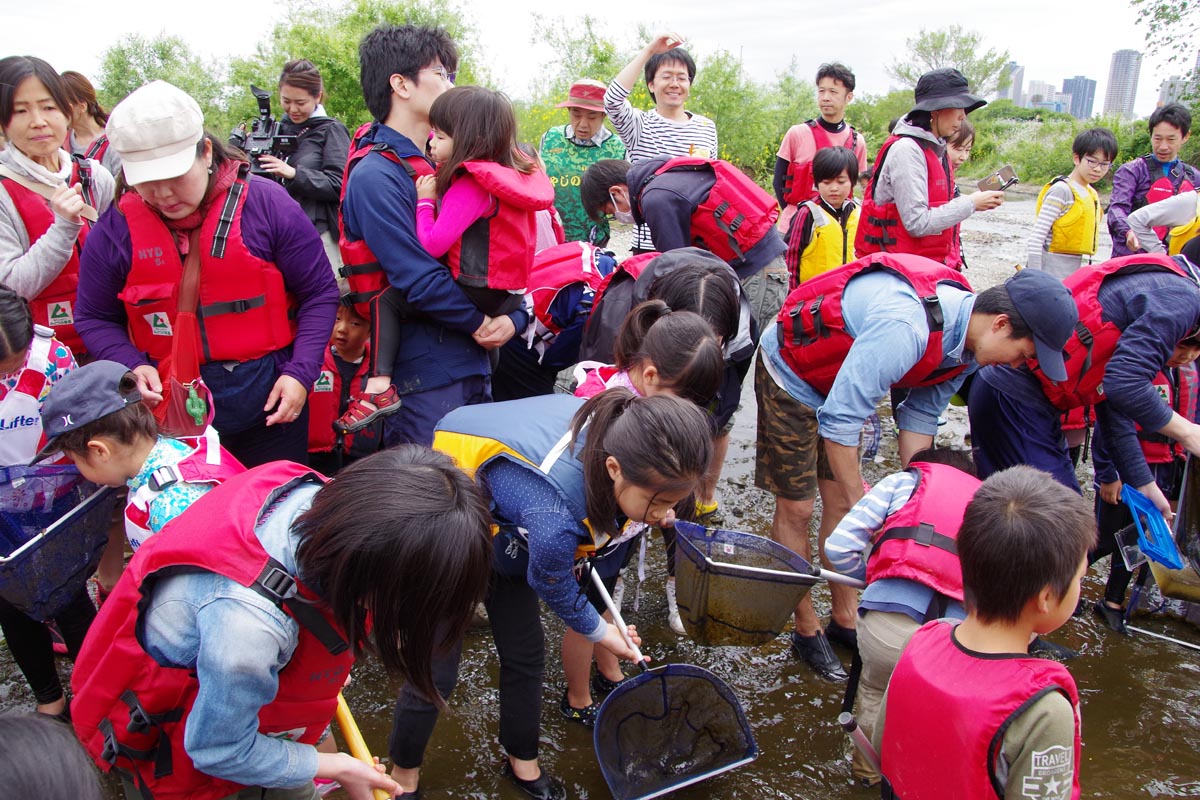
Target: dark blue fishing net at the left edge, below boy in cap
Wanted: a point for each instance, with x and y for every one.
(53, 531)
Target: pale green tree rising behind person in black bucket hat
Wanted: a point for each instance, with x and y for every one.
(952, 47)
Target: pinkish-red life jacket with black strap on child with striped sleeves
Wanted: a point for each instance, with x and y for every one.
(920, 543)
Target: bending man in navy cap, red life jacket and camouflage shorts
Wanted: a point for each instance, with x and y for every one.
(843, 341)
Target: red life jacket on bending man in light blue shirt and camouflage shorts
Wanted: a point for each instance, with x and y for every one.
(812, 330)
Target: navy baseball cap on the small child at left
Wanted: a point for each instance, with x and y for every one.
(81, 398)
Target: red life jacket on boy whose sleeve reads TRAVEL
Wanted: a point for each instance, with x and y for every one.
(947, 714)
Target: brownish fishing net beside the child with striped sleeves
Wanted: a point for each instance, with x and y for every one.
(736, 588)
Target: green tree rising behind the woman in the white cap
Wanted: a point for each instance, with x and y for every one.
(136, 61)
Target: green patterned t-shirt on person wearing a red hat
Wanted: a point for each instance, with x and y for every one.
(566, 164)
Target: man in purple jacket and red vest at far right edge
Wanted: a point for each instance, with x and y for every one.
(1155, 177)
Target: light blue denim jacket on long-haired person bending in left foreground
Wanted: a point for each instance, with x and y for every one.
(237, 641)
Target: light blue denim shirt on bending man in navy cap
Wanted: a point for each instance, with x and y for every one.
(889, 324)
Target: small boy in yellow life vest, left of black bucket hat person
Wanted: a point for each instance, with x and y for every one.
(821, 236)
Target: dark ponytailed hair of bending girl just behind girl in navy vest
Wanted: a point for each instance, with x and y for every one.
(680, 345)
